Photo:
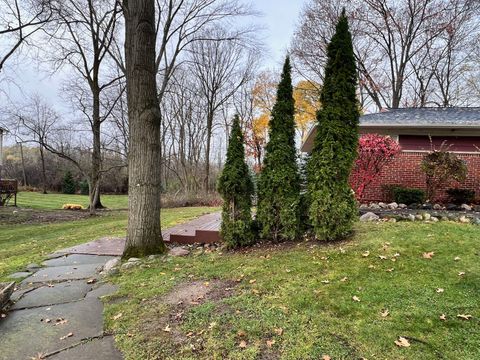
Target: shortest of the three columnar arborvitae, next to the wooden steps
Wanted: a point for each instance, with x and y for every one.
(236, 187)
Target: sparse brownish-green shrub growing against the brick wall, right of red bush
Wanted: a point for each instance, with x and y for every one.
(441, 167)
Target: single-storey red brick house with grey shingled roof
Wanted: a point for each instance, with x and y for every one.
(459, 128)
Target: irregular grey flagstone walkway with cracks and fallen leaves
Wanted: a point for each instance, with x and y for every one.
(58, 314)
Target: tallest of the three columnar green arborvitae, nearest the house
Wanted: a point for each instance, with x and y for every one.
(332, 204)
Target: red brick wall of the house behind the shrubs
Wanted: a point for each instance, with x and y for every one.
(405, 170)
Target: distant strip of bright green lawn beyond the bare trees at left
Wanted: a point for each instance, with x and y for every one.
(53, 201)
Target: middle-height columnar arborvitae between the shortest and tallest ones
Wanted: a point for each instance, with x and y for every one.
(279, 182)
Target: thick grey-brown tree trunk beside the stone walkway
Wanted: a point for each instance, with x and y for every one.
(144, 235)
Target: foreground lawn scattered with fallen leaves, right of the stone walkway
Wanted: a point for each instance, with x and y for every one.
(297, 302)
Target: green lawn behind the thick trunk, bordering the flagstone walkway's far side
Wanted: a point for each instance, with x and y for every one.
(27, 243)
